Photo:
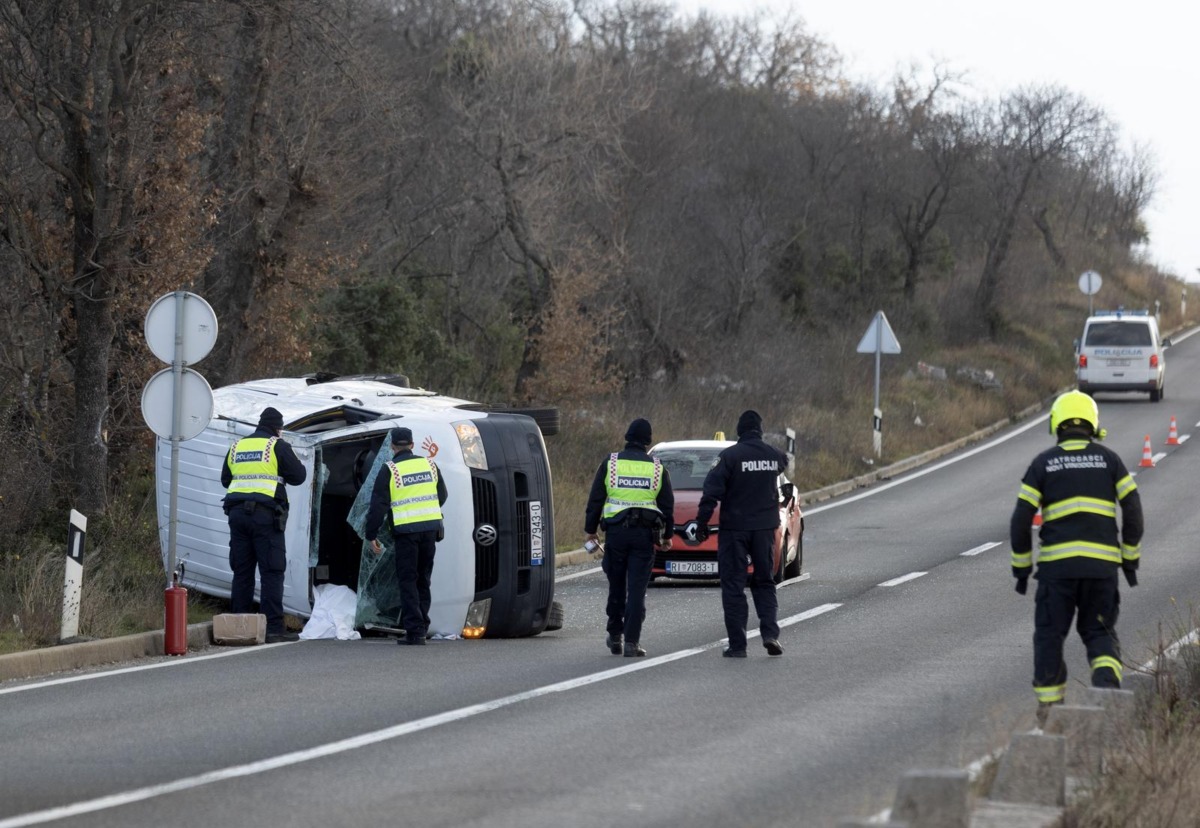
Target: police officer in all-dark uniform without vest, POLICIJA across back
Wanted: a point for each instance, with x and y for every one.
(746, 482)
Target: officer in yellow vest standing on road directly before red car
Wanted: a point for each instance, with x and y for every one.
(633, 501)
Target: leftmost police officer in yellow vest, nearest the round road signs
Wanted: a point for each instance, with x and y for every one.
(256, 503)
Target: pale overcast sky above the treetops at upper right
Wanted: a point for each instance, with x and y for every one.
(1139, 62)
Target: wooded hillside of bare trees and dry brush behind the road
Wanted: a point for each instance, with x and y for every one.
(603, 207)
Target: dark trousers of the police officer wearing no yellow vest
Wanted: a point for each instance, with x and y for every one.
(736, 550)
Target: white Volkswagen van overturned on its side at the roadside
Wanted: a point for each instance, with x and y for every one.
(494, 573)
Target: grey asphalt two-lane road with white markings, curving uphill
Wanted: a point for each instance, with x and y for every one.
(907, 649)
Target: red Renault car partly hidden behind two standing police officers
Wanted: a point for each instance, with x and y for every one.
(689, 461)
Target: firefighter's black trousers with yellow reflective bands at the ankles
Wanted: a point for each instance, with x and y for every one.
(1097, 604)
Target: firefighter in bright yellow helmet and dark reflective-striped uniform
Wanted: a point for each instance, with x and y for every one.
(1078, 485)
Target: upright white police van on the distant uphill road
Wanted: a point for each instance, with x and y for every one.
(1121, 351)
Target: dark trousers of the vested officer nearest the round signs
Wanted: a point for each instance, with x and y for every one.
(256, 544)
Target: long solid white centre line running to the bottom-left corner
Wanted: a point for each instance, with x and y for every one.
(365, 740)
